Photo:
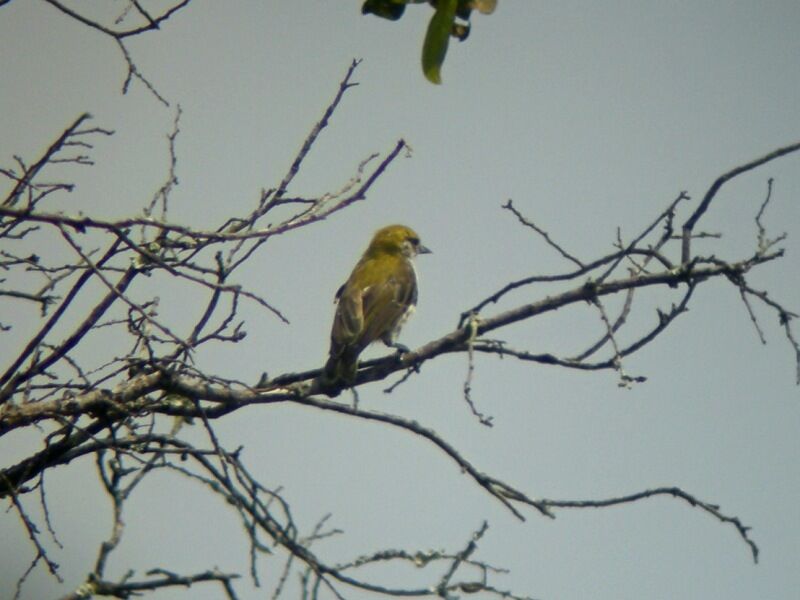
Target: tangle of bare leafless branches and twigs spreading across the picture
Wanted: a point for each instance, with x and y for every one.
(116, 410)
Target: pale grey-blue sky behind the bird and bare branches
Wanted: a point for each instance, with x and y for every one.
(590, 116)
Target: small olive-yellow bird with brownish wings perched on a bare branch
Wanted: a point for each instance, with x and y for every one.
(375, 301)
